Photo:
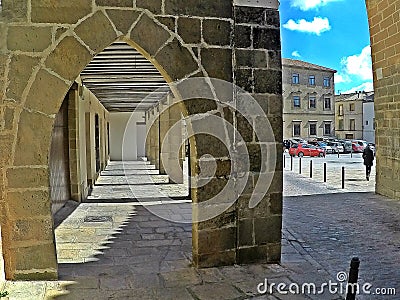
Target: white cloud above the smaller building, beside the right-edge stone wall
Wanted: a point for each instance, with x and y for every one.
(359, 65)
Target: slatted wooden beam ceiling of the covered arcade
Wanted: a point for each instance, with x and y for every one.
(124, 80)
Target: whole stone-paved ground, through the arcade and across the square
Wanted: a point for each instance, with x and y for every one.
(132, 240)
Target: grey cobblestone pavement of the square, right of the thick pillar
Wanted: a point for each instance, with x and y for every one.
(332, 225)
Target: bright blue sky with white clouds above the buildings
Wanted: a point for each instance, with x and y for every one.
(330, 33)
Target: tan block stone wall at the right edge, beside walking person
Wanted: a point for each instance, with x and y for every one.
(384, 25)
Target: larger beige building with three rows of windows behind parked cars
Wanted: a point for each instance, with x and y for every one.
(308, 100)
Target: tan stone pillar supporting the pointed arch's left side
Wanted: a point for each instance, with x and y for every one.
(25, 207)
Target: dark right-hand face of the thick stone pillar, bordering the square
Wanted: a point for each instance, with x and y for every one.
(258, 71)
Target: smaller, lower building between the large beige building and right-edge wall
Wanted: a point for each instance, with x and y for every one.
(354, 116)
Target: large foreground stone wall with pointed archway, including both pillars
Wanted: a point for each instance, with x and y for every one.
(47, 46)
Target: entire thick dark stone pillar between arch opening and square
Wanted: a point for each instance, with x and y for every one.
(242, 233)
